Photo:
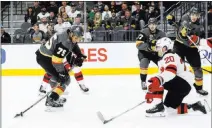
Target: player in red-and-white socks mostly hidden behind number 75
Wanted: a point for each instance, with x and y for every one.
(74, 62)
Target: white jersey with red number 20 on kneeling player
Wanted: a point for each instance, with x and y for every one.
(171, 65)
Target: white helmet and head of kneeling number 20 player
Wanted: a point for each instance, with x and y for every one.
(163, 45)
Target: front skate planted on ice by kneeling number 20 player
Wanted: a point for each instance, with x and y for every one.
(157, 111)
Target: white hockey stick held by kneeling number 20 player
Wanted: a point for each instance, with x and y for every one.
(104, 121)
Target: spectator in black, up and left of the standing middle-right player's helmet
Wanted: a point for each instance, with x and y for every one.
(139, 15)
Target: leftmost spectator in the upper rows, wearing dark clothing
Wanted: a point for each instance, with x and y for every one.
(29, 16)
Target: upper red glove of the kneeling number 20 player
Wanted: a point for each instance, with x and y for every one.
(155, 84)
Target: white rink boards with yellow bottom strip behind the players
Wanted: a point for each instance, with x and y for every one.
(103, 59)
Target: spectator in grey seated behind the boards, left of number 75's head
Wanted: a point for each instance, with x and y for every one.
(37, 35)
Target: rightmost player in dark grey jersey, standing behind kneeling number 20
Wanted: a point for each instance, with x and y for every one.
(189, 26)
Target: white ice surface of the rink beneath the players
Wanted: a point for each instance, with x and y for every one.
(109, 94)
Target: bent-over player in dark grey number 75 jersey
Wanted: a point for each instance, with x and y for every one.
(50, 57)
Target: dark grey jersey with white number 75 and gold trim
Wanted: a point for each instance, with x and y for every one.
(57, 48)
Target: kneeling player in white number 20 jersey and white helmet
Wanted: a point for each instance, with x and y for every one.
(173, 78)
